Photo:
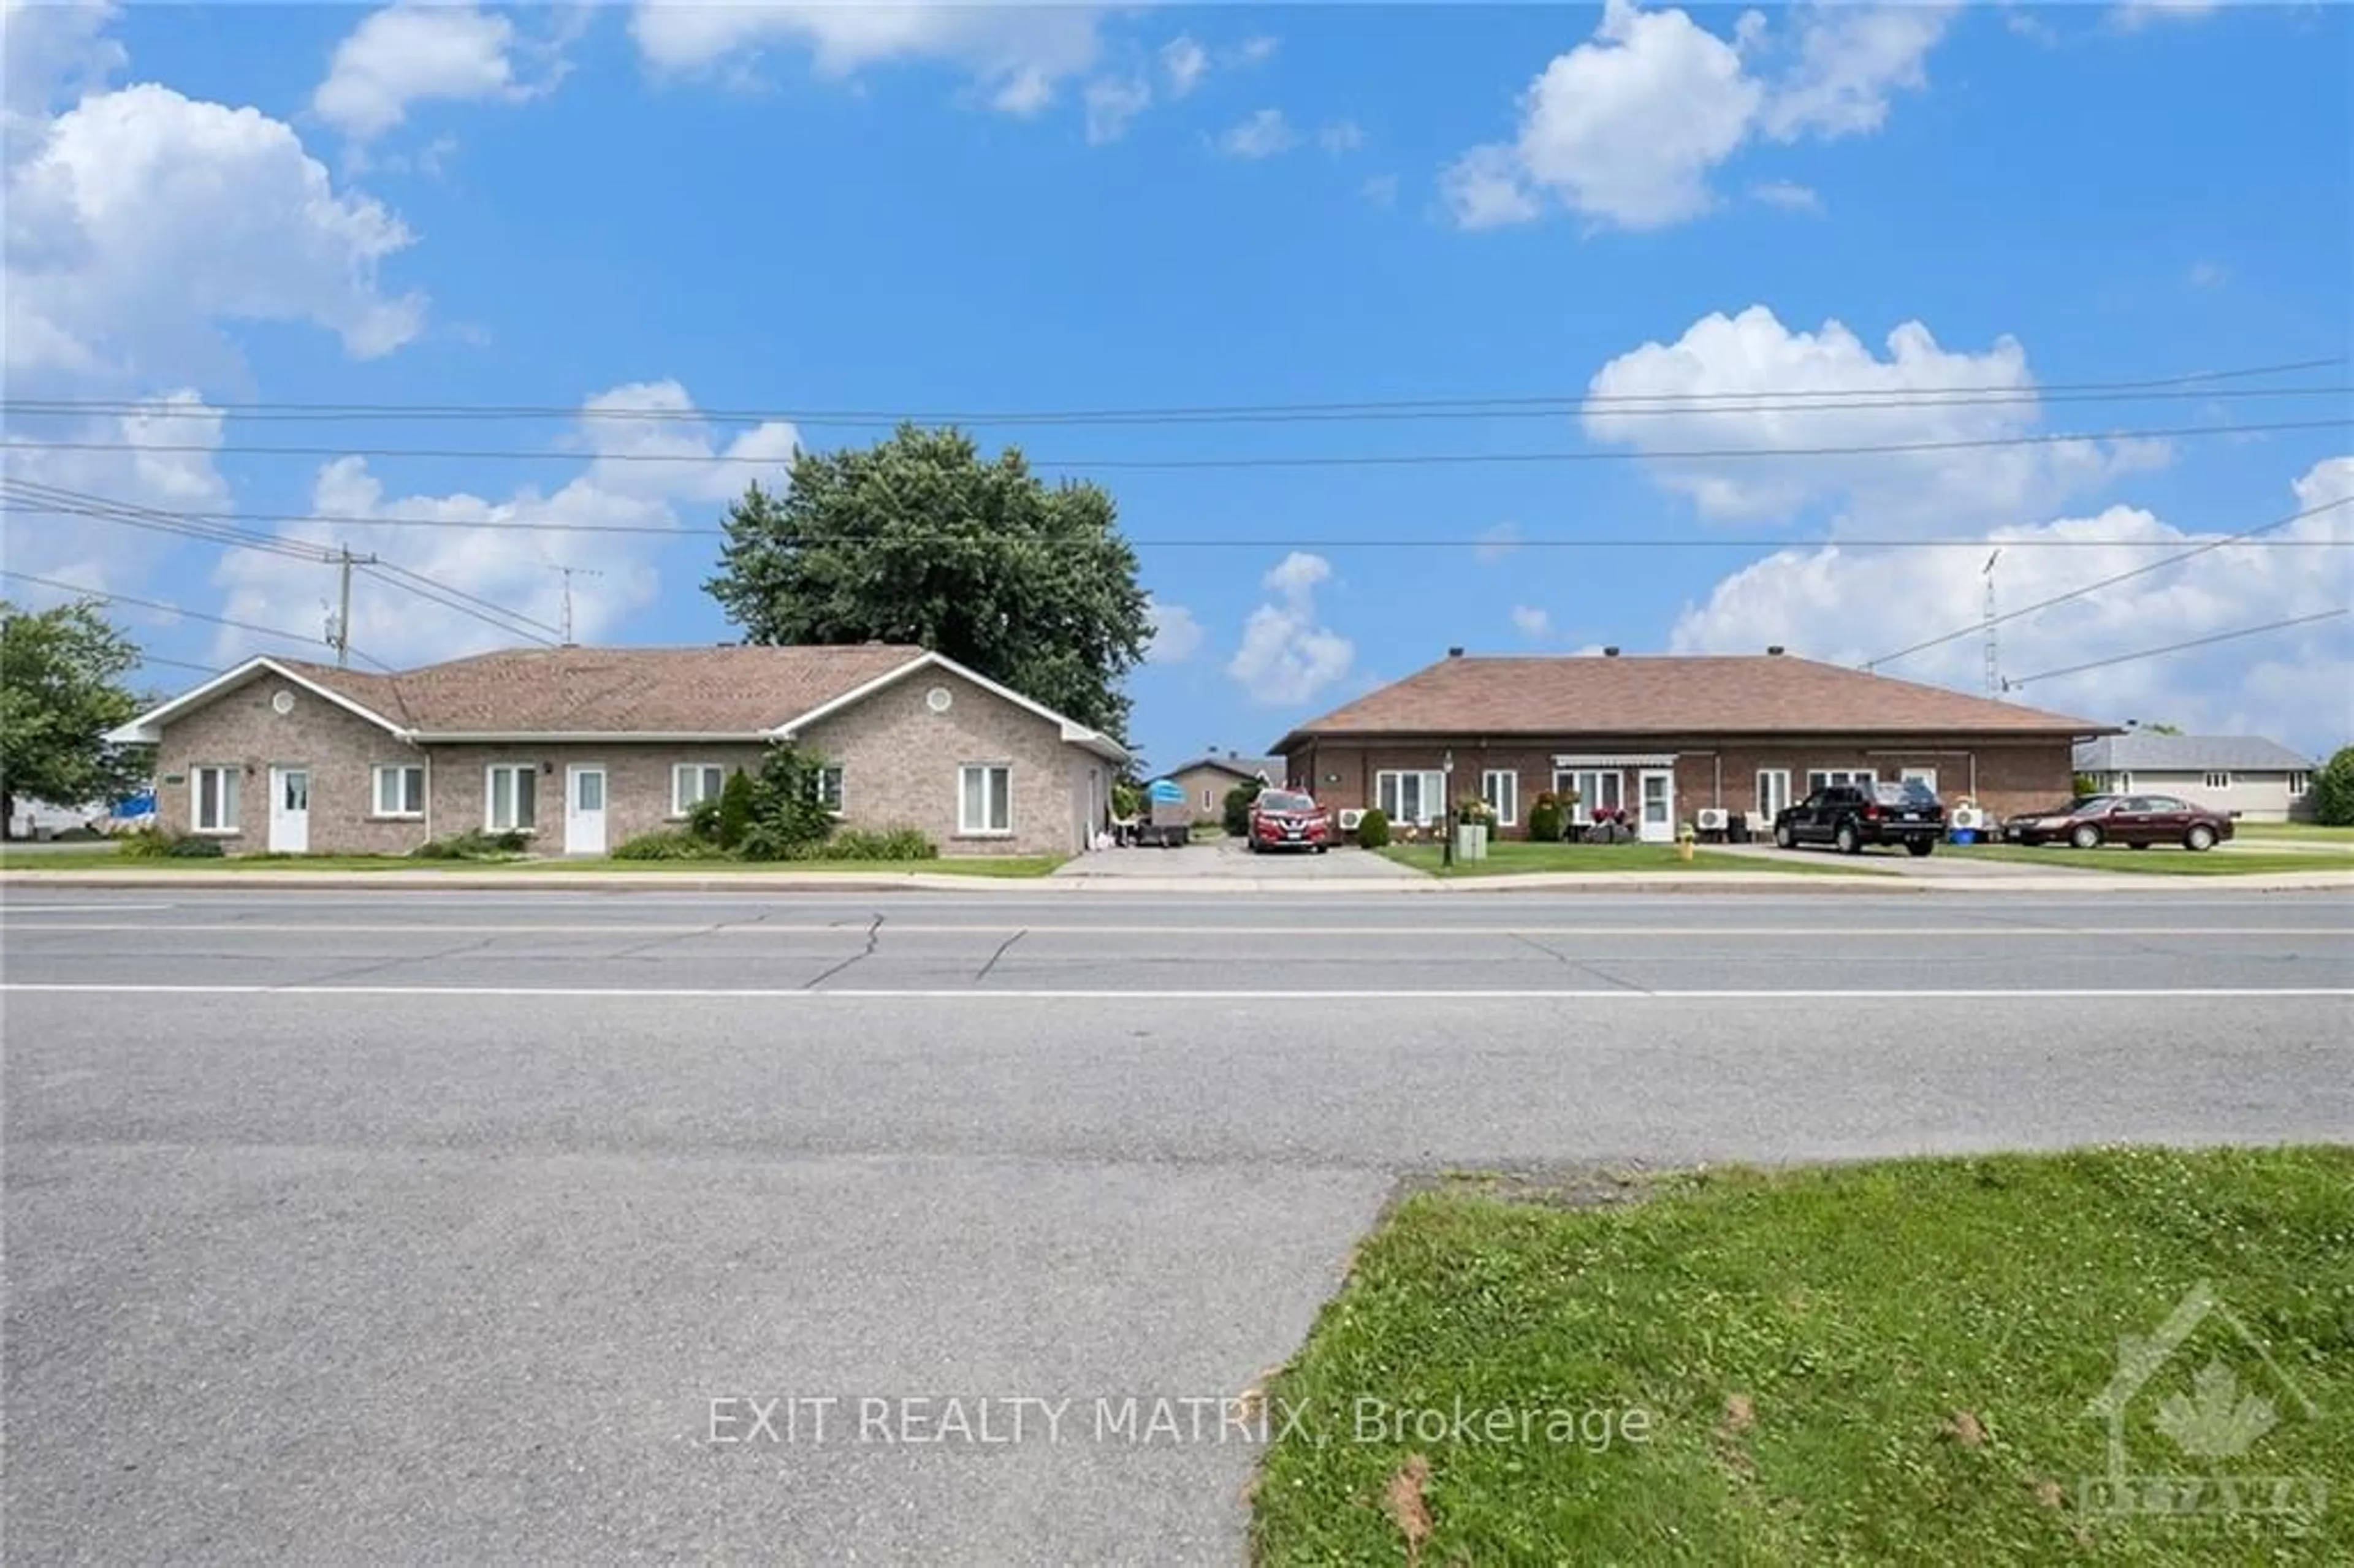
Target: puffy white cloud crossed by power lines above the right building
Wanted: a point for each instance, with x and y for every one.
(1750, 385)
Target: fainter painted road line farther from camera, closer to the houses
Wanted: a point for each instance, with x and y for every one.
(903, 929)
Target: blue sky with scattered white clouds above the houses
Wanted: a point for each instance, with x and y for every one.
(804, 211)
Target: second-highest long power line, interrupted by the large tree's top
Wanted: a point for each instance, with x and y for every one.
(1350, 460)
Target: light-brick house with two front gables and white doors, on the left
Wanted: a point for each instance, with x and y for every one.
(587, 748)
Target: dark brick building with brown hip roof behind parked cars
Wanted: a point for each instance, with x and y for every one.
(1665, 738)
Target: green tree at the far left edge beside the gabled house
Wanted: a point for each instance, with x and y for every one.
(60, 693)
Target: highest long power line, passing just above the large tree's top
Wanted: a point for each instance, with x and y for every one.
(2186, 385)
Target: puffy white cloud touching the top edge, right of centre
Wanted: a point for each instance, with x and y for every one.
(1628, 128)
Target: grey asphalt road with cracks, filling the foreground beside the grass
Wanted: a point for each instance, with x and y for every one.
(430, 1225)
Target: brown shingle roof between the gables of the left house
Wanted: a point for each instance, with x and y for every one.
(616, 691)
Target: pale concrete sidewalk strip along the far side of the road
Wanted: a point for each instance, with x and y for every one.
(933, 882)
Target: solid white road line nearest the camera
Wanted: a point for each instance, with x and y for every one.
(1225, 995)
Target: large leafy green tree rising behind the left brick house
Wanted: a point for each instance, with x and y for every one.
(924, 540)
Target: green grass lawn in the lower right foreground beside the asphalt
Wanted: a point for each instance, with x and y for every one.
(1866, 1364)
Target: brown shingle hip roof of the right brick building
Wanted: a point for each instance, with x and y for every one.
(1673, 696)
